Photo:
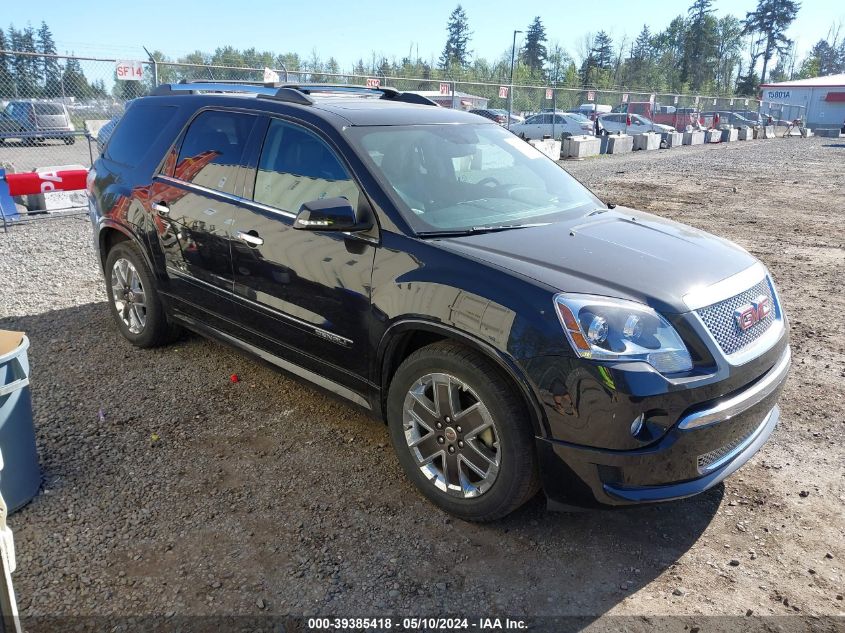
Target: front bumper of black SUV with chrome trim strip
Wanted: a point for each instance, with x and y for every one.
(706, 445)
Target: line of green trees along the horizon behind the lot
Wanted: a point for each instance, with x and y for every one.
(696, 53)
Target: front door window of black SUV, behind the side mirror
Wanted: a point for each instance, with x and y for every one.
(297, 167)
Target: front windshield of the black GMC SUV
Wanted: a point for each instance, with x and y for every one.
(460, 177)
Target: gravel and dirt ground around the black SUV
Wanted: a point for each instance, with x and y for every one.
(168, 489)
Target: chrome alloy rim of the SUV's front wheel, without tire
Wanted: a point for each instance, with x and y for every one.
(452, 435)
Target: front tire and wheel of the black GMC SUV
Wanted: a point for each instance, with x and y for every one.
(497, 434)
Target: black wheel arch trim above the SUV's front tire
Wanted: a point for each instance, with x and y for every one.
(391, 336)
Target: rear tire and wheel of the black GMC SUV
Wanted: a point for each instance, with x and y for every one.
(133, 300)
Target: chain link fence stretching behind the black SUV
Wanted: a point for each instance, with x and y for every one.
(53, 107)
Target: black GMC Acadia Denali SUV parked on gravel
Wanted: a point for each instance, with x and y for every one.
(511, 329)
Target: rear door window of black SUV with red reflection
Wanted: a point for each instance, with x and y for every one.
(212, 150)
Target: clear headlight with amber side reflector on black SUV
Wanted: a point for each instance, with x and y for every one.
(602, 328)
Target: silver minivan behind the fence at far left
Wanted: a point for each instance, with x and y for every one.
(36, 121)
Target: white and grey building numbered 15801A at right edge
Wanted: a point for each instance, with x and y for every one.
(822, 100)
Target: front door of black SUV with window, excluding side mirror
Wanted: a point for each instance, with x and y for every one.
(308, 291)
